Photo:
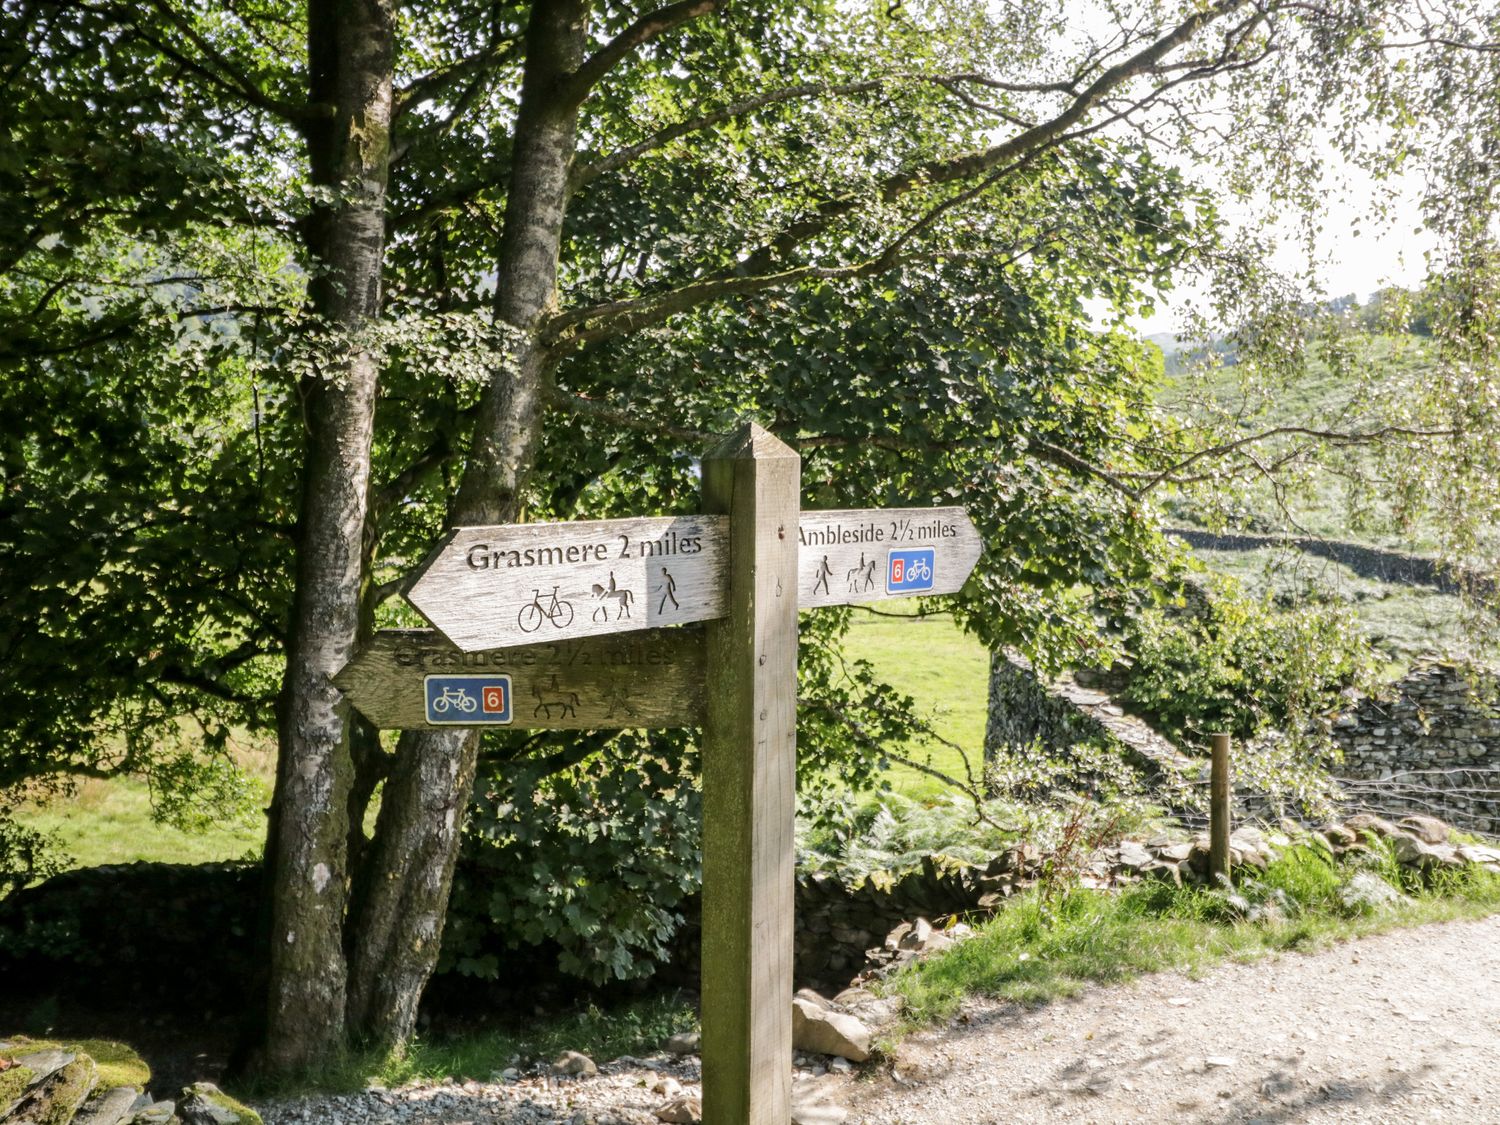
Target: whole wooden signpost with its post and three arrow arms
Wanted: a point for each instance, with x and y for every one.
(539, 628)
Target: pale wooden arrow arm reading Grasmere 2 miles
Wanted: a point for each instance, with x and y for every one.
(521, 584)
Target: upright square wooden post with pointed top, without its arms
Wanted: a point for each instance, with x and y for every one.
(749, 787)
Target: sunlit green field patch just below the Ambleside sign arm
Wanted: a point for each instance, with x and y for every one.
(944, 670)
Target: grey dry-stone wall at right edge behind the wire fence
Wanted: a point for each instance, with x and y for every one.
(1429, 745)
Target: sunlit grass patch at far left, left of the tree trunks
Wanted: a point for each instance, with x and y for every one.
(110, 823)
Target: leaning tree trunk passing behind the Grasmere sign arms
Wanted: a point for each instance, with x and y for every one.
(404, 896)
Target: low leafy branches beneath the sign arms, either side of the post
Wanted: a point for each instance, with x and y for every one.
(595, 847)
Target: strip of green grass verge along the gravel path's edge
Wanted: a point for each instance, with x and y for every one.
(1039, 950)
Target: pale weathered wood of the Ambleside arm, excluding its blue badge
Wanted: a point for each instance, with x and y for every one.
(845, 556)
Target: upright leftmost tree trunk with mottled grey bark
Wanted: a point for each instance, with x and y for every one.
(350, 74)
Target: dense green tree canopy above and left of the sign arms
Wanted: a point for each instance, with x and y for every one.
(154, 427)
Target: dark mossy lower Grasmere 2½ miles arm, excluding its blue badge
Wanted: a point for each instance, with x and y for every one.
(634, 680)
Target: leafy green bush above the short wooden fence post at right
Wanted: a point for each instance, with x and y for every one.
(1241, 667)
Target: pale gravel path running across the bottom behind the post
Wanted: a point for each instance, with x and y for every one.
(1399, 1028)
